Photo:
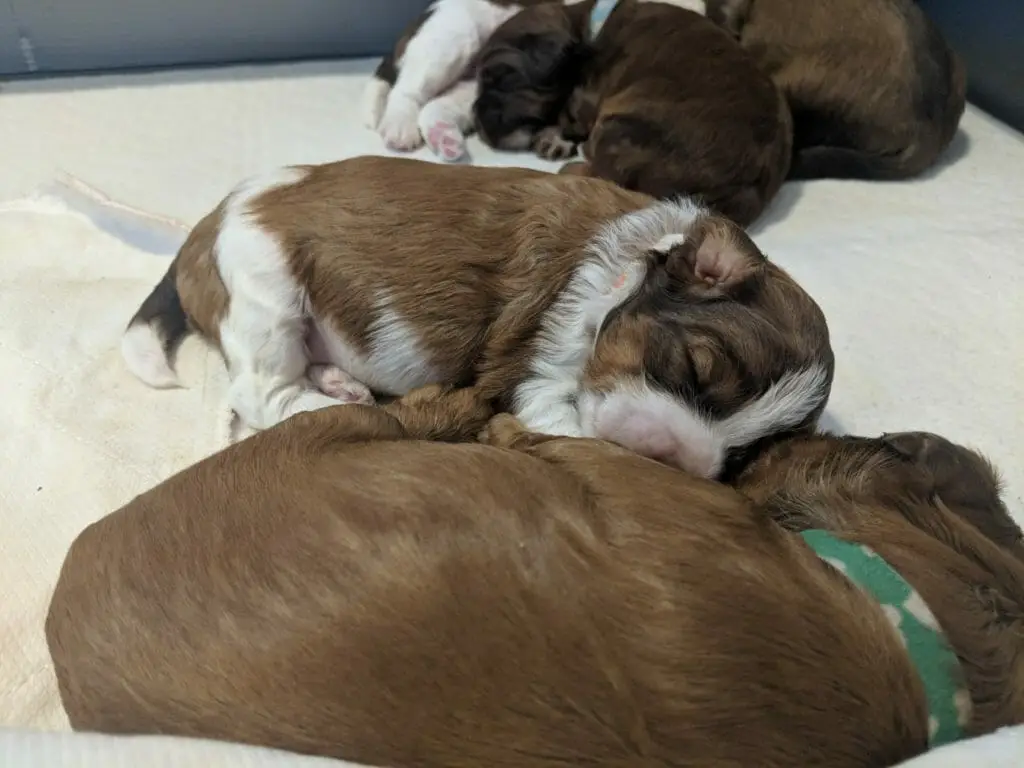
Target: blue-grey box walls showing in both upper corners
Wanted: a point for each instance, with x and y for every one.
(62, 36)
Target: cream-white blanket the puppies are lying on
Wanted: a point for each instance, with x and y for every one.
(921, 283)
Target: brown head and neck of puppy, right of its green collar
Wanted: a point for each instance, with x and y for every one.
(932, 510)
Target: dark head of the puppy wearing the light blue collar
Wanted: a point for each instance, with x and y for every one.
(527, 72)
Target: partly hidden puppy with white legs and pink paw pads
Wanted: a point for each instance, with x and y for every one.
(424, 89)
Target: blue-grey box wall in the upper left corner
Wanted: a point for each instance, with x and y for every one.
(50, 36)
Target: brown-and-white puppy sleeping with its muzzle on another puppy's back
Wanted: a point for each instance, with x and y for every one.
(584, 309)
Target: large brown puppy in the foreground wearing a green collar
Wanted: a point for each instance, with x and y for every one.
(334, 586)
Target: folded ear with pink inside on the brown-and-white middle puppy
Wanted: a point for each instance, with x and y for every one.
(714, 253)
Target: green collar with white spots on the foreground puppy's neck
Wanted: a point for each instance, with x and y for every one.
(949, 701)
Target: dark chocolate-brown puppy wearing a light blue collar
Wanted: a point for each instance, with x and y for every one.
(665, 103)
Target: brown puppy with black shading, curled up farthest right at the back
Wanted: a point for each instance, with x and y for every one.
(875, 90)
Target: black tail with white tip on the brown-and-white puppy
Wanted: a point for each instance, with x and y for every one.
(155, 333)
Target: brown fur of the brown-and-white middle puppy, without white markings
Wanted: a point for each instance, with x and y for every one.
(476, 271)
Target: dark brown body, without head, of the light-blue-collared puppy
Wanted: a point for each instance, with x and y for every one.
(688, 112)
